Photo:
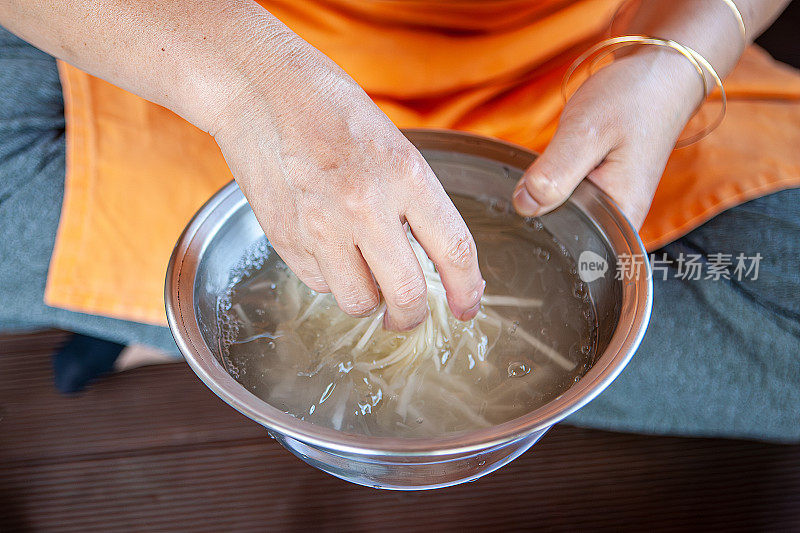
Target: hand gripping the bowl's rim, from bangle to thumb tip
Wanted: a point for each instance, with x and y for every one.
(618, 130)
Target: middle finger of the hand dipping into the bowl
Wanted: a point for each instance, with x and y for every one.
(397, 271)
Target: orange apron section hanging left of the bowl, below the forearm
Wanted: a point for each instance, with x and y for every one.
(135, 175)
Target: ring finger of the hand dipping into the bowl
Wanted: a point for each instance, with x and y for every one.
(349, 278)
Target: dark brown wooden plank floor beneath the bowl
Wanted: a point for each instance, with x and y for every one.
(153, 449)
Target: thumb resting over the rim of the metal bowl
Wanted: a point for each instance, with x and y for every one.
(576, 149)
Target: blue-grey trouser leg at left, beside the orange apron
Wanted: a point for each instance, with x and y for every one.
(32, 169)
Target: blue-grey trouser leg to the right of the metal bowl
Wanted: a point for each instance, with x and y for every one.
(719, 357)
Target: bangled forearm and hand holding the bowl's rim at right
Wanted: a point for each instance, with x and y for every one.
(621, 125)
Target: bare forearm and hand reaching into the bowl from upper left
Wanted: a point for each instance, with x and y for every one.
(331, 180)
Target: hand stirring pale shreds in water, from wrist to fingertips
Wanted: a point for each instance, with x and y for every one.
(332, 182)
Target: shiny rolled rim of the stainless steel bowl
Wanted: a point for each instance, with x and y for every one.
(625, 340)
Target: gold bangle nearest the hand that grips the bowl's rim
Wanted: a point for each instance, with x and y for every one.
(697, 61)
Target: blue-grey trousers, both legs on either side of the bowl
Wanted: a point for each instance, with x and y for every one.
(721, 357)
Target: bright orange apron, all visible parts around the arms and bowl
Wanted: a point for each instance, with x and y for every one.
(136, 172)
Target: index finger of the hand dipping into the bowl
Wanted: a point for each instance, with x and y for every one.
(441, 231)
